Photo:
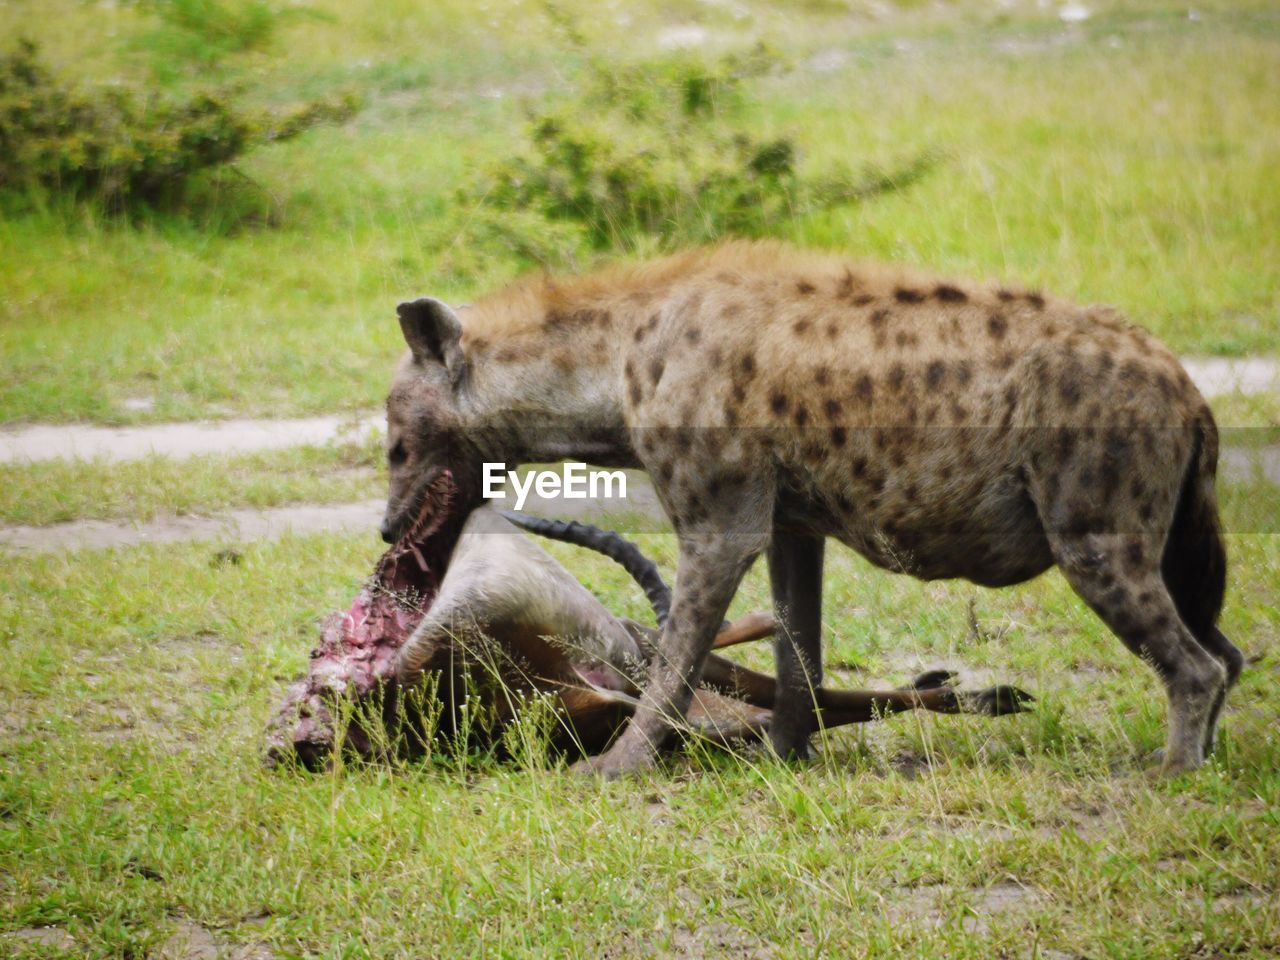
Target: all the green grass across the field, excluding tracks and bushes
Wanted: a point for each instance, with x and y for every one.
(1132, 158)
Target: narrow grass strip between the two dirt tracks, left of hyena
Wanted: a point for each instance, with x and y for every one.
(56, 492)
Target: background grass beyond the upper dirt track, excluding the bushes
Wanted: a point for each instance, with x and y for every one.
(1128, 161)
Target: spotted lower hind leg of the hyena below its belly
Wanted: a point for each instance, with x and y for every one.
(1119, 577)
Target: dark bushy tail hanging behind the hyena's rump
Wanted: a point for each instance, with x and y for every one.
(1195, 561)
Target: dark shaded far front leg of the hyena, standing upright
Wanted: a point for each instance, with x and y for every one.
(796, 575)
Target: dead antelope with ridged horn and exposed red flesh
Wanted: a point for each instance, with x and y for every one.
(495, 618)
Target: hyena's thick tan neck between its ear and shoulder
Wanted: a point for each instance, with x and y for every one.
(545, 387)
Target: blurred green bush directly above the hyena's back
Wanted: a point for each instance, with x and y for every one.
(659, 156)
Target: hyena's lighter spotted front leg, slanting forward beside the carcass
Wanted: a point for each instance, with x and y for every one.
(712, 564)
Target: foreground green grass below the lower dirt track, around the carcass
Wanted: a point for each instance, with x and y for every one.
(132, 798)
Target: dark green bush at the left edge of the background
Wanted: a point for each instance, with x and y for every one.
(124, 148)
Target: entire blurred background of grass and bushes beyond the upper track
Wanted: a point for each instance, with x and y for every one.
(213, 204)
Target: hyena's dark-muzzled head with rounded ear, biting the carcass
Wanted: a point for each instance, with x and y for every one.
(427, 433)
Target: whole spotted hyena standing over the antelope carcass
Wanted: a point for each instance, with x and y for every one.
(776, 399)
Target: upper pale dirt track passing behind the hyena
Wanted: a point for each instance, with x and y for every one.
(1214, 376)
